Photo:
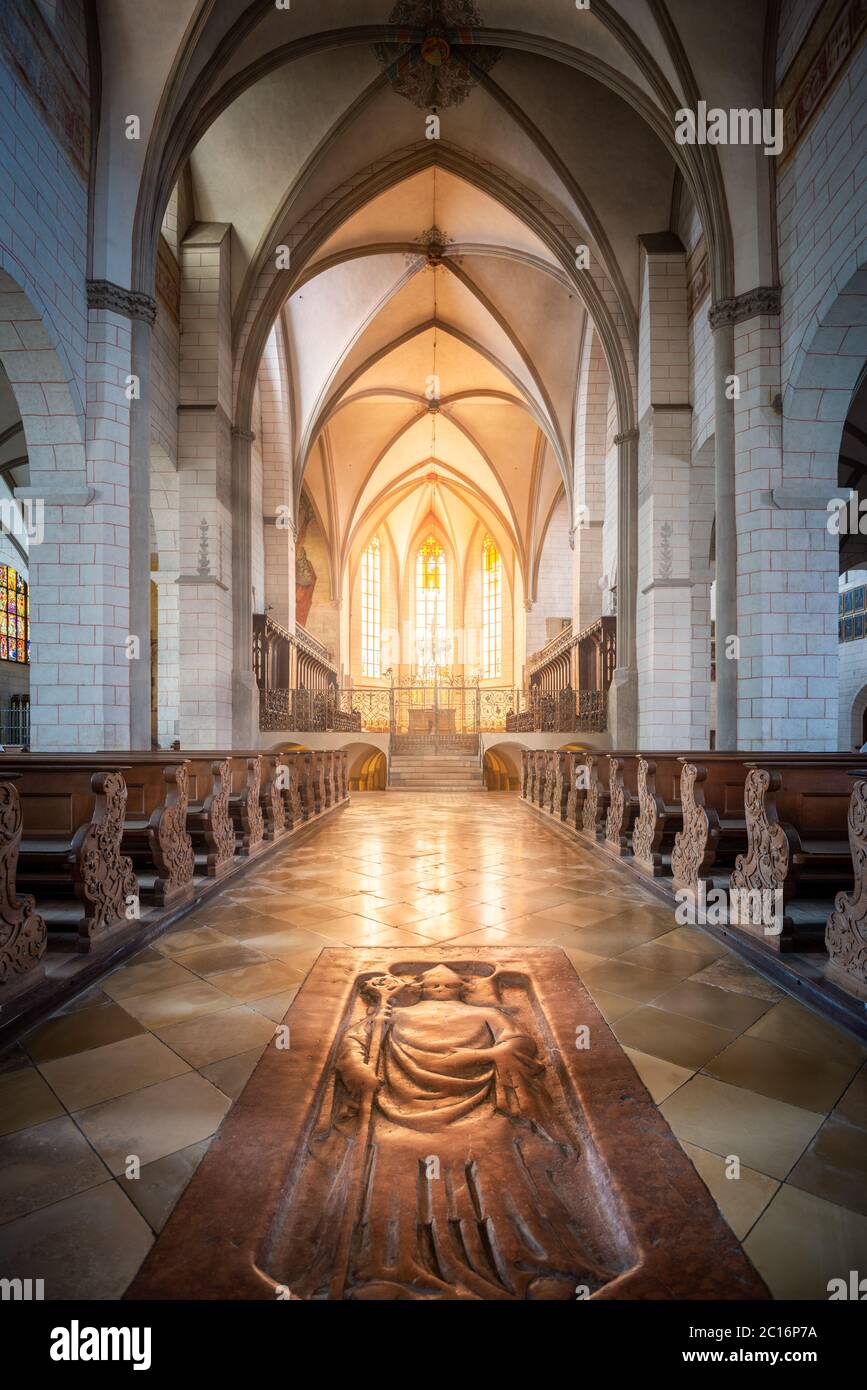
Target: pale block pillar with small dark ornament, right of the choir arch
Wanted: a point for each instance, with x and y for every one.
(675, 687)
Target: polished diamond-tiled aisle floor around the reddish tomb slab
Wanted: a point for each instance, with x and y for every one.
(108, 1109)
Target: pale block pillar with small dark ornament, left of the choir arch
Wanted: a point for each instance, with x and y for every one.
(206, 491)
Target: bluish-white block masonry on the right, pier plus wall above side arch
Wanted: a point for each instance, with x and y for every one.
(787, 466)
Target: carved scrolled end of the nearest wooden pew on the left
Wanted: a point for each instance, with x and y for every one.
(23, 932)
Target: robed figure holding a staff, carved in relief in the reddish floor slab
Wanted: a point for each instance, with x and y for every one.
(444, 1163)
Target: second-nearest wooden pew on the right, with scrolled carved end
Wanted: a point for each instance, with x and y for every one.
(798, 843)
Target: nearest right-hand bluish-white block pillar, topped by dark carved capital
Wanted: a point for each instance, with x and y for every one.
(787, 553)
